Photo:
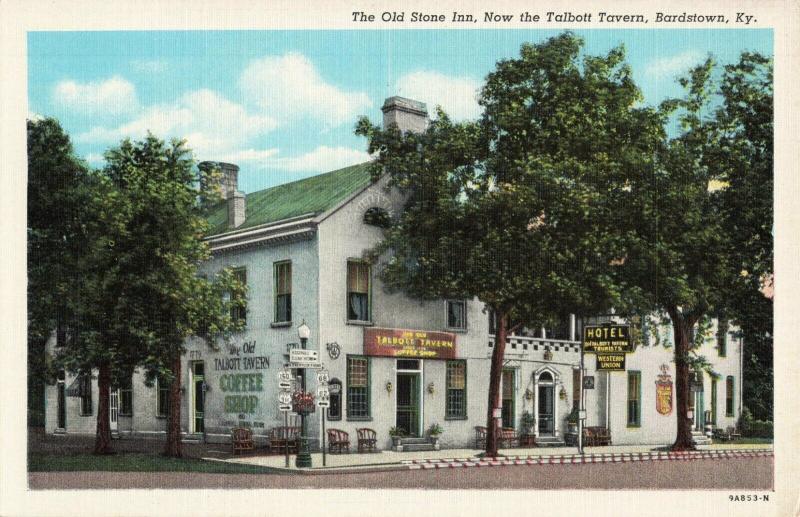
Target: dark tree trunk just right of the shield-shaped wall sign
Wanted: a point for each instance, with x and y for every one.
(682, 327)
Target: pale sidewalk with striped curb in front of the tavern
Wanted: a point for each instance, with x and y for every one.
(390, 460)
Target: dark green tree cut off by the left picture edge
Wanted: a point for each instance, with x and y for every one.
(57, 207)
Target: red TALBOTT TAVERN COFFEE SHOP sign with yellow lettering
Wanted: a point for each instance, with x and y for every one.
(416, 344)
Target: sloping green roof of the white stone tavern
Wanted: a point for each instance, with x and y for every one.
(312, 195)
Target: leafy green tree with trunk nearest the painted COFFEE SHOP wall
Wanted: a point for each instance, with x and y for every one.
(161, 245)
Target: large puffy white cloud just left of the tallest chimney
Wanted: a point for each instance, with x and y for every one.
(289, 87)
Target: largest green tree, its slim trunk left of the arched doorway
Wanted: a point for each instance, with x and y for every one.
(516, 208)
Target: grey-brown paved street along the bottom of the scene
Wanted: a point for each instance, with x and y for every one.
(750, 473)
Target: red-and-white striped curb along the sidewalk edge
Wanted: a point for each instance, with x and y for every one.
(622, 457)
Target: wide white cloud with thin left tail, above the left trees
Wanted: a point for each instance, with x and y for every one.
(212, 125)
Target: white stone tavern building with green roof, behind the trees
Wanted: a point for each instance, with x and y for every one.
(299, 246)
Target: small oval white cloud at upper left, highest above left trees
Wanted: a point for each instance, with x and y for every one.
(111, 96)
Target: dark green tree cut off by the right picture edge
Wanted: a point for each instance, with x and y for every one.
(745, 123)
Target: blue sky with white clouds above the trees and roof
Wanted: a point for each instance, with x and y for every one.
(282, 104)
